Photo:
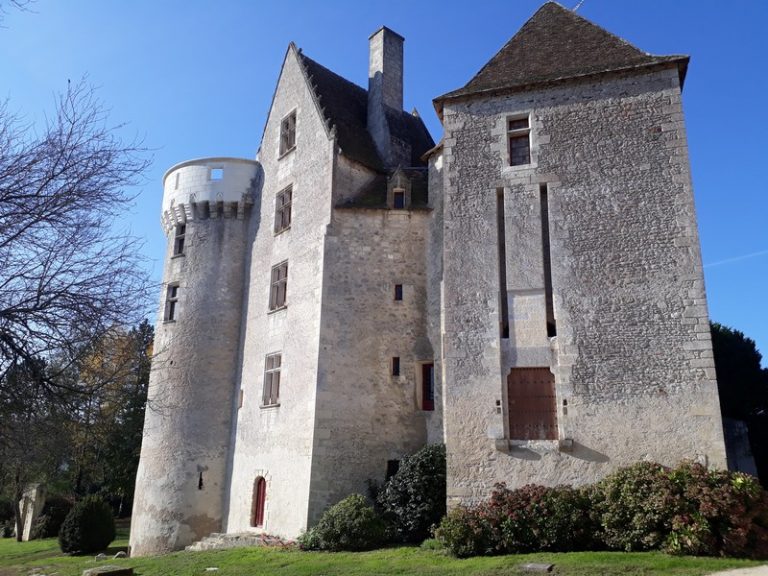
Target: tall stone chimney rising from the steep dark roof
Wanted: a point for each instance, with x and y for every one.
(385, 89)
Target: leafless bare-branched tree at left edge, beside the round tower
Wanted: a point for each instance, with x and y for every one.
(67, 278)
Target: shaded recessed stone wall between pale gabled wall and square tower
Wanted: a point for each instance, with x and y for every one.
(366, 415)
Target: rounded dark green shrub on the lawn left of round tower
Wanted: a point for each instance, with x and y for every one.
(89, 527)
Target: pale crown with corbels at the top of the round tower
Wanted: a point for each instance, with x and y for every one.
(208, 188)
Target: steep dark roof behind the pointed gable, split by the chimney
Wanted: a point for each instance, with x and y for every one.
(345, 107)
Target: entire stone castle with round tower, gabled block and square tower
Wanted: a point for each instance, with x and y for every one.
(528, 291)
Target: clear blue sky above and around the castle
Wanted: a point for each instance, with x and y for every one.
(195, 79)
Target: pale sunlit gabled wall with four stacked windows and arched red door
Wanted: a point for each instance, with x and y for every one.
(276, 442)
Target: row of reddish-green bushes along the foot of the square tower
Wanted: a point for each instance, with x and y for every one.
(646, 506)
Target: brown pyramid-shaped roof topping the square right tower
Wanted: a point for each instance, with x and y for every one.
(556, 44)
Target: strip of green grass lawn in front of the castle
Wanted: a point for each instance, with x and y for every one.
(43, 557)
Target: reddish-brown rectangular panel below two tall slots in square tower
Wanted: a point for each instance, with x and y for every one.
(531, 404)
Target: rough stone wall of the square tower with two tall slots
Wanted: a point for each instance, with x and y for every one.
(632, 357)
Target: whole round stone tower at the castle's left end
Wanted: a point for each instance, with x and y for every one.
(182, 474)
